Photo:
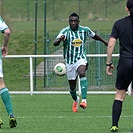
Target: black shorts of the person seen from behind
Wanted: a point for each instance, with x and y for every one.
(124, 73)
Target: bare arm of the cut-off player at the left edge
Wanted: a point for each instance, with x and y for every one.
(4, 48)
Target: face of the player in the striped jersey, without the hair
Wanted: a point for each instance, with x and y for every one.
(74, 22)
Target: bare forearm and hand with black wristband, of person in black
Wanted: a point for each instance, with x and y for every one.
(110, 50)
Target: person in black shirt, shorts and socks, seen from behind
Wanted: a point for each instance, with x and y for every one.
(122, 30)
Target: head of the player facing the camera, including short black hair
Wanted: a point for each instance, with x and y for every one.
(74, 21)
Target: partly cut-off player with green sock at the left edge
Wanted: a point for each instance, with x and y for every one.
(5, 96)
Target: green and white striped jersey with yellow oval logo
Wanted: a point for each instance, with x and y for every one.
(74, 43)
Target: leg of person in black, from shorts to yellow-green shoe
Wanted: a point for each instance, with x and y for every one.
(122, 86)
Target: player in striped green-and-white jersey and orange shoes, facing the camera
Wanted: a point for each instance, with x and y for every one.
(74, 40)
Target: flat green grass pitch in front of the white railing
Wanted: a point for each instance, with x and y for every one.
(52, 114)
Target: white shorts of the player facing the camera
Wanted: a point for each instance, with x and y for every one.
(72, 69)
